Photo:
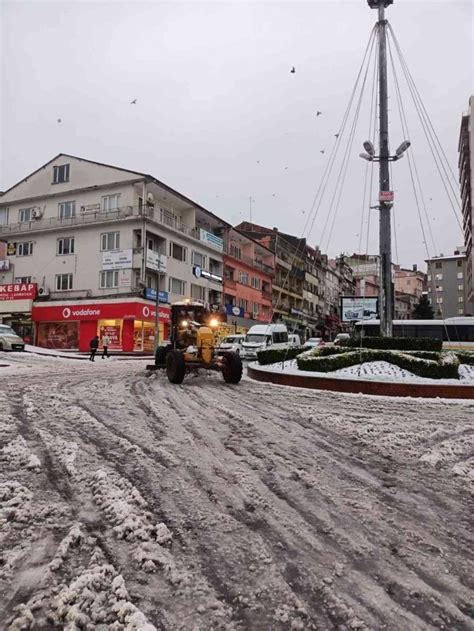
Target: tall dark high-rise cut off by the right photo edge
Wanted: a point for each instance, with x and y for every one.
(466, 167)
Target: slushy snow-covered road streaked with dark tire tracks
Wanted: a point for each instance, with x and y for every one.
(129, 503)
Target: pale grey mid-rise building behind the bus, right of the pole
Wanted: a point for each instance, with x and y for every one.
(447, 284)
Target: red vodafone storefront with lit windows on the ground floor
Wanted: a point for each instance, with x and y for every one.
(128, 324)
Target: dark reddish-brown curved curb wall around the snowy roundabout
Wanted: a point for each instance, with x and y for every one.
(360, 386)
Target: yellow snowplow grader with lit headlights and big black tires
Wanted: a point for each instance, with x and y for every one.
(193, 344)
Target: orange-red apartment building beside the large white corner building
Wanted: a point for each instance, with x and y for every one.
(249, 269)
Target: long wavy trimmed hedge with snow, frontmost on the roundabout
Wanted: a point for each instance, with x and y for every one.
(446, 367)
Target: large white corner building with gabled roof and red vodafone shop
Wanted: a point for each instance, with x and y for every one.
(100, 247)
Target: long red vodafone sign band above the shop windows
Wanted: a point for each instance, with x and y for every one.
(100, 311)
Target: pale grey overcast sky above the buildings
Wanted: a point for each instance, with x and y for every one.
(219, 115)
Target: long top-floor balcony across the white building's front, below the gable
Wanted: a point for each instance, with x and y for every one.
(77, 220)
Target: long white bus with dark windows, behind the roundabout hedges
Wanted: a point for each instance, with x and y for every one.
(455, 332)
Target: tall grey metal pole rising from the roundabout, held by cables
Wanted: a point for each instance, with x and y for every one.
(385, 228)
